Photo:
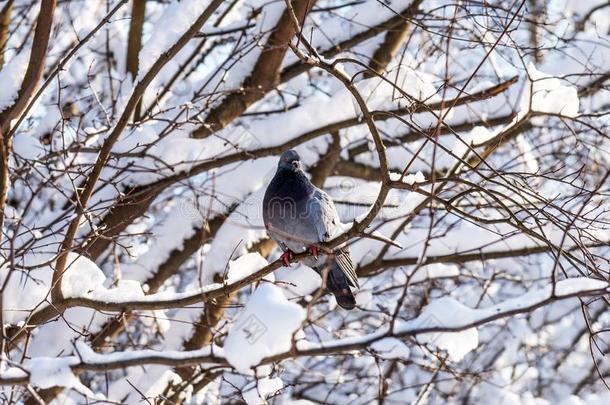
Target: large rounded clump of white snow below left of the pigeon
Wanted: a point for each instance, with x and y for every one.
(265, 327)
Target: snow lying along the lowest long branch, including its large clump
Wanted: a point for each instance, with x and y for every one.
(444, 323)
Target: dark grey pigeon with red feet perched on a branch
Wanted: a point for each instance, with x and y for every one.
(299, 216)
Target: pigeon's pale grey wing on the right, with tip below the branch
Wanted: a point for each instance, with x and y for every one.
(326, 220)
